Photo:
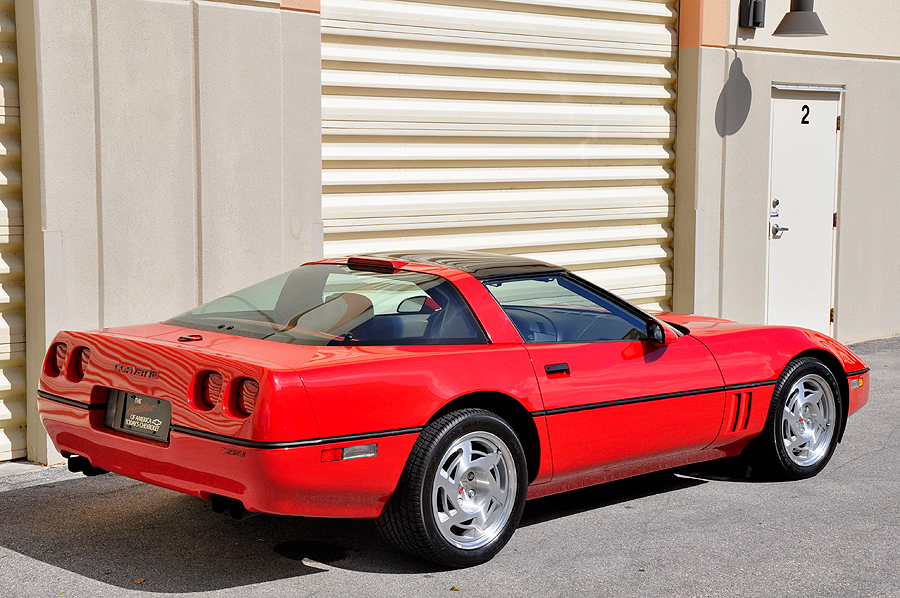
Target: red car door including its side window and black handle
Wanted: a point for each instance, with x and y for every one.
(615, 403)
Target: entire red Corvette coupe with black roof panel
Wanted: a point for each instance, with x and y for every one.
(436, 392)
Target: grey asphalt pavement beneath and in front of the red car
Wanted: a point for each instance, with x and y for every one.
(701, 531)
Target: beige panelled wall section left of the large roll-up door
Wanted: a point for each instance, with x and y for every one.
(171, 154)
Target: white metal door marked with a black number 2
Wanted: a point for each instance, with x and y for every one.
(802, 208)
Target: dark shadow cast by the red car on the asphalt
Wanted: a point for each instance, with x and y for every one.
(116, 531)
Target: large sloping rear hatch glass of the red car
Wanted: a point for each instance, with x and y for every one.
(328, 304)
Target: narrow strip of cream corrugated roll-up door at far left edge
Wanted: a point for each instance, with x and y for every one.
(12, 264)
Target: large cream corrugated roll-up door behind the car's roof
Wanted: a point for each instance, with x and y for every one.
(542, 128)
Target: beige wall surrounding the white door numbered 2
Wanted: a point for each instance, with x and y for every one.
(722, 173)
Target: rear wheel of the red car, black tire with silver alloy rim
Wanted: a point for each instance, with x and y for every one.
(442, 494)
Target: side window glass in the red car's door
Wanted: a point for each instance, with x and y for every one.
(555, 309)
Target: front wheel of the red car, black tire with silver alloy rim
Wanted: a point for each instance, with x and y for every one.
(803, 423)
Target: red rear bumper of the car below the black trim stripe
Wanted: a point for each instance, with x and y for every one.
(285, 481)
